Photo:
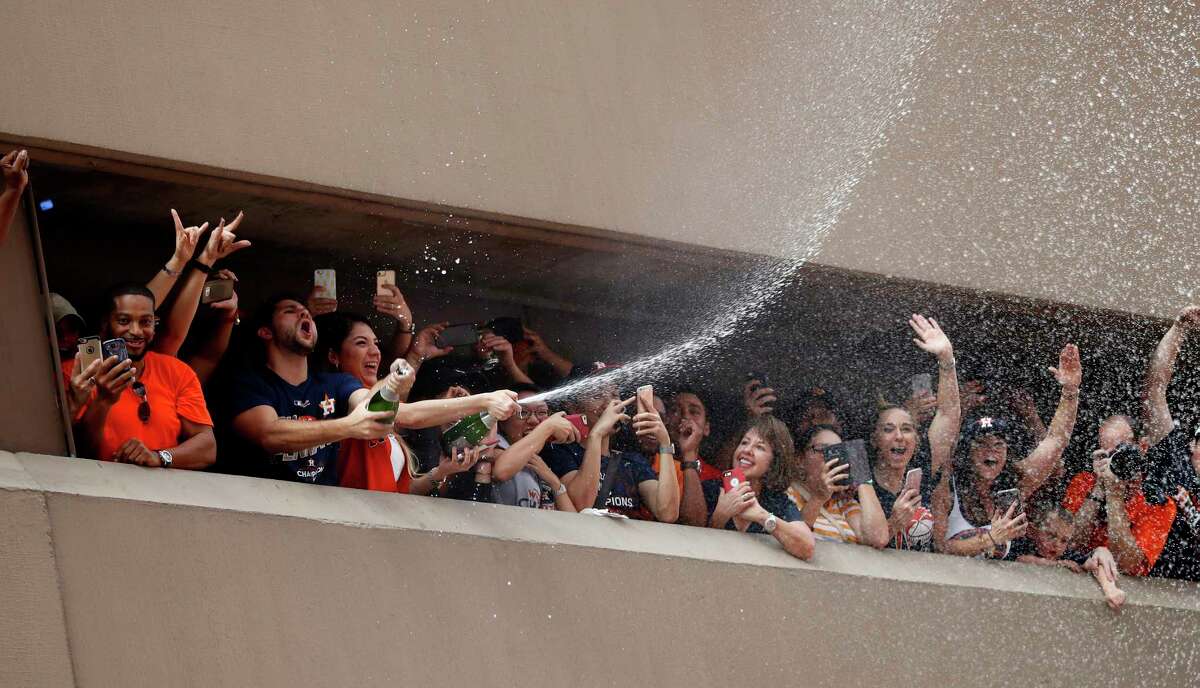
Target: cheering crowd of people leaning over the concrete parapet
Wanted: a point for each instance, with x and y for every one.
(945, 470)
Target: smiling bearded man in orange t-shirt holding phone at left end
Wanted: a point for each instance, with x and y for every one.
(148, 410)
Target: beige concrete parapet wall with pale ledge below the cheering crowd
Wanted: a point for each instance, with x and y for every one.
(178, 579)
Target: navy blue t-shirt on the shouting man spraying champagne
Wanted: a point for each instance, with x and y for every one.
(323, 397)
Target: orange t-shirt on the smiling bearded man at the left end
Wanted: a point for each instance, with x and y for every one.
(173, 392)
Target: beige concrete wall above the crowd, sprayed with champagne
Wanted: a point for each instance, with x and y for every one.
(1039, 149)
